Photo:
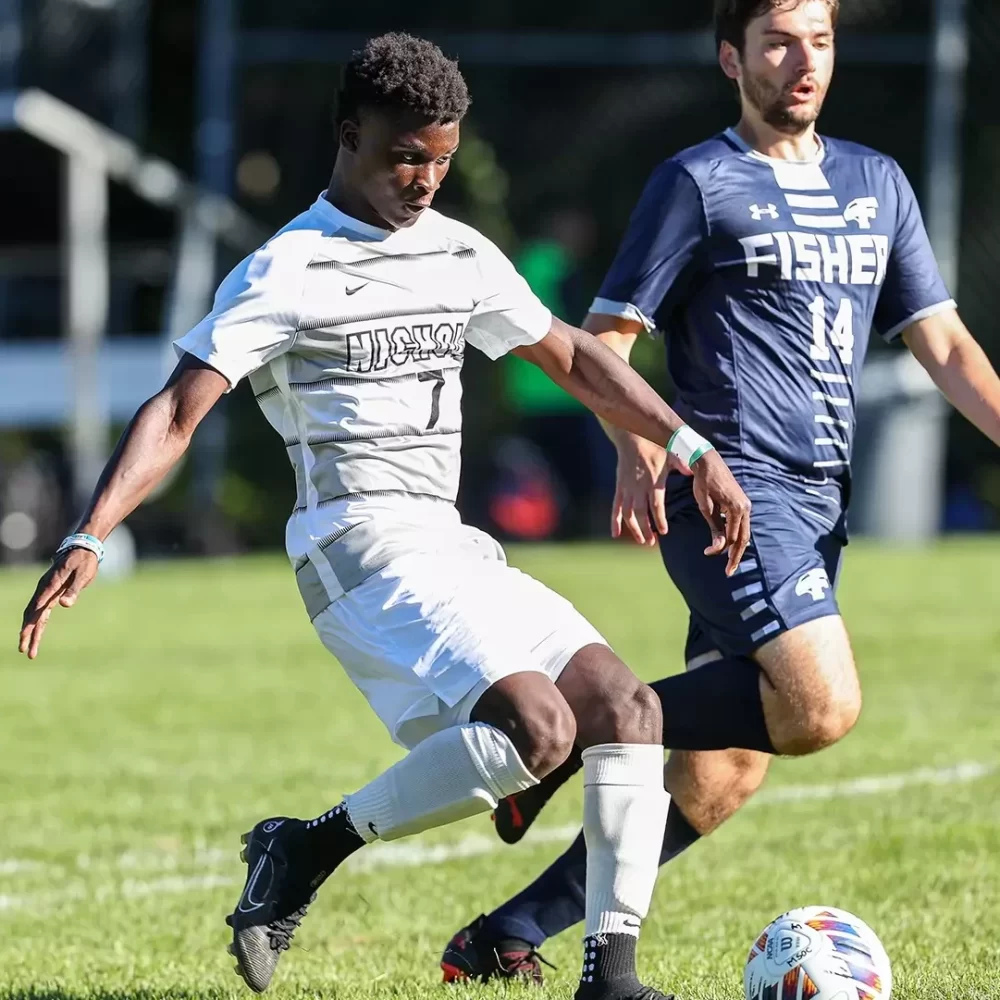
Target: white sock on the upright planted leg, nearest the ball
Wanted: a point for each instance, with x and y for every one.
(624, 815)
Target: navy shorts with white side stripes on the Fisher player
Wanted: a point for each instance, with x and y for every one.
(788, 575)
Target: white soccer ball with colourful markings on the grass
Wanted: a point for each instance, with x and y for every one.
(817, 953)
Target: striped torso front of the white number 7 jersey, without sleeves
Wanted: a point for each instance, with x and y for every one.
(368, 400)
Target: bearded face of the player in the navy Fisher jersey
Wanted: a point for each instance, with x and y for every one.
(787, 65)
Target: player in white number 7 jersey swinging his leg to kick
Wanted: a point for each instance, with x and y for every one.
(351, 323)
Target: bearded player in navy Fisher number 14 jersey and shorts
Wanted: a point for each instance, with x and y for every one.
(765, 256)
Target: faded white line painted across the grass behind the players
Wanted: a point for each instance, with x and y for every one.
(407, 854)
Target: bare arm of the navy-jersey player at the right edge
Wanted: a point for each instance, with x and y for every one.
(959, 368)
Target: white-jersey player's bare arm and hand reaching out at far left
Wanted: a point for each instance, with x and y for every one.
(153, 442)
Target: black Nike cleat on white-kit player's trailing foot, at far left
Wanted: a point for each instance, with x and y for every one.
(274, 900)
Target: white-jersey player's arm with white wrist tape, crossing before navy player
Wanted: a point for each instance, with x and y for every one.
(589, 370)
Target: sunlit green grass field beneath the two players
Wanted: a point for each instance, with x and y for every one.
(169, 713)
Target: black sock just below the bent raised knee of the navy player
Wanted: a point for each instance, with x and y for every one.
(715, 707)
